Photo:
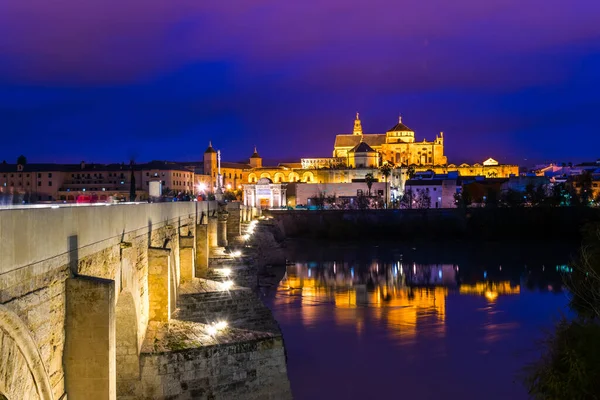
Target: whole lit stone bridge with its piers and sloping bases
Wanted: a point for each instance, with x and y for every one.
(105, 302)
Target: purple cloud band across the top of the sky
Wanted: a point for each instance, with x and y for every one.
(71, 41)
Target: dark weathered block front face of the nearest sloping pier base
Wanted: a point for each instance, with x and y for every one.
(248, 370)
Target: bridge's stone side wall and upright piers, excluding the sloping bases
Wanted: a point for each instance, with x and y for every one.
(81, 285)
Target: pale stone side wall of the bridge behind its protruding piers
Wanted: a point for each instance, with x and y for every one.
(41, 248)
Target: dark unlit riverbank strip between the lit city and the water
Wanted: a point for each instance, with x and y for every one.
(473, 223)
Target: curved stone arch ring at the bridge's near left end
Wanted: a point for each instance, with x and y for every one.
(29, 378)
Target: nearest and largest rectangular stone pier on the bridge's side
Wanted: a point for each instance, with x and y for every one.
(89, 358)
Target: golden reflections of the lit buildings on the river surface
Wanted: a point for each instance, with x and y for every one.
(403, 296)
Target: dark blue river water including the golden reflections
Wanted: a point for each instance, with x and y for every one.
(419, 322)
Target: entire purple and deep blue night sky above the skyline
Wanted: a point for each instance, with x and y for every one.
(106, 80)
